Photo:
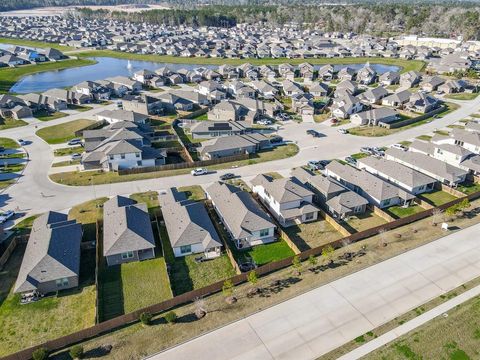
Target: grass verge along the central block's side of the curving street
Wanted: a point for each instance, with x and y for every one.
(75, 178)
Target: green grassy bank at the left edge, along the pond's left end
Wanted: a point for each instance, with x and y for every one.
(9, 76)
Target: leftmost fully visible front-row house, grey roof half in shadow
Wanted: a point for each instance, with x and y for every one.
(52, 257)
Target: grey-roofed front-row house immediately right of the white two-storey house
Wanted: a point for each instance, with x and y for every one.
(339, 201)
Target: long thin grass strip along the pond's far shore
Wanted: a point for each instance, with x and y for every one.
(406, 65)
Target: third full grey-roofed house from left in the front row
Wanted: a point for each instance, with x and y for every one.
(189, 227)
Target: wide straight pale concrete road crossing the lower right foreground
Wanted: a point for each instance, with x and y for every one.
(316, 322)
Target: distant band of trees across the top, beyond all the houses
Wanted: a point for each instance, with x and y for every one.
(427, 17)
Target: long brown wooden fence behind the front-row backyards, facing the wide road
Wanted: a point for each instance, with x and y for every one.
(121, 321)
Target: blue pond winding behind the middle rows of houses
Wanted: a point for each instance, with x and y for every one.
(109, 67)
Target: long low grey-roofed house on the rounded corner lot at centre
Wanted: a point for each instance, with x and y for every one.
(223, 146)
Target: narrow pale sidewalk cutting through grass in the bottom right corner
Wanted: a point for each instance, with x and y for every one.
(410, 325)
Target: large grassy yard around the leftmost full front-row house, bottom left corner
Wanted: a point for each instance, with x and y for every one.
(49, 318)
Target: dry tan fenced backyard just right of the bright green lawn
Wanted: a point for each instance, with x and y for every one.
(312, 235)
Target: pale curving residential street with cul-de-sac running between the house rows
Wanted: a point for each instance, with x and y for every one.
(35, 193)
